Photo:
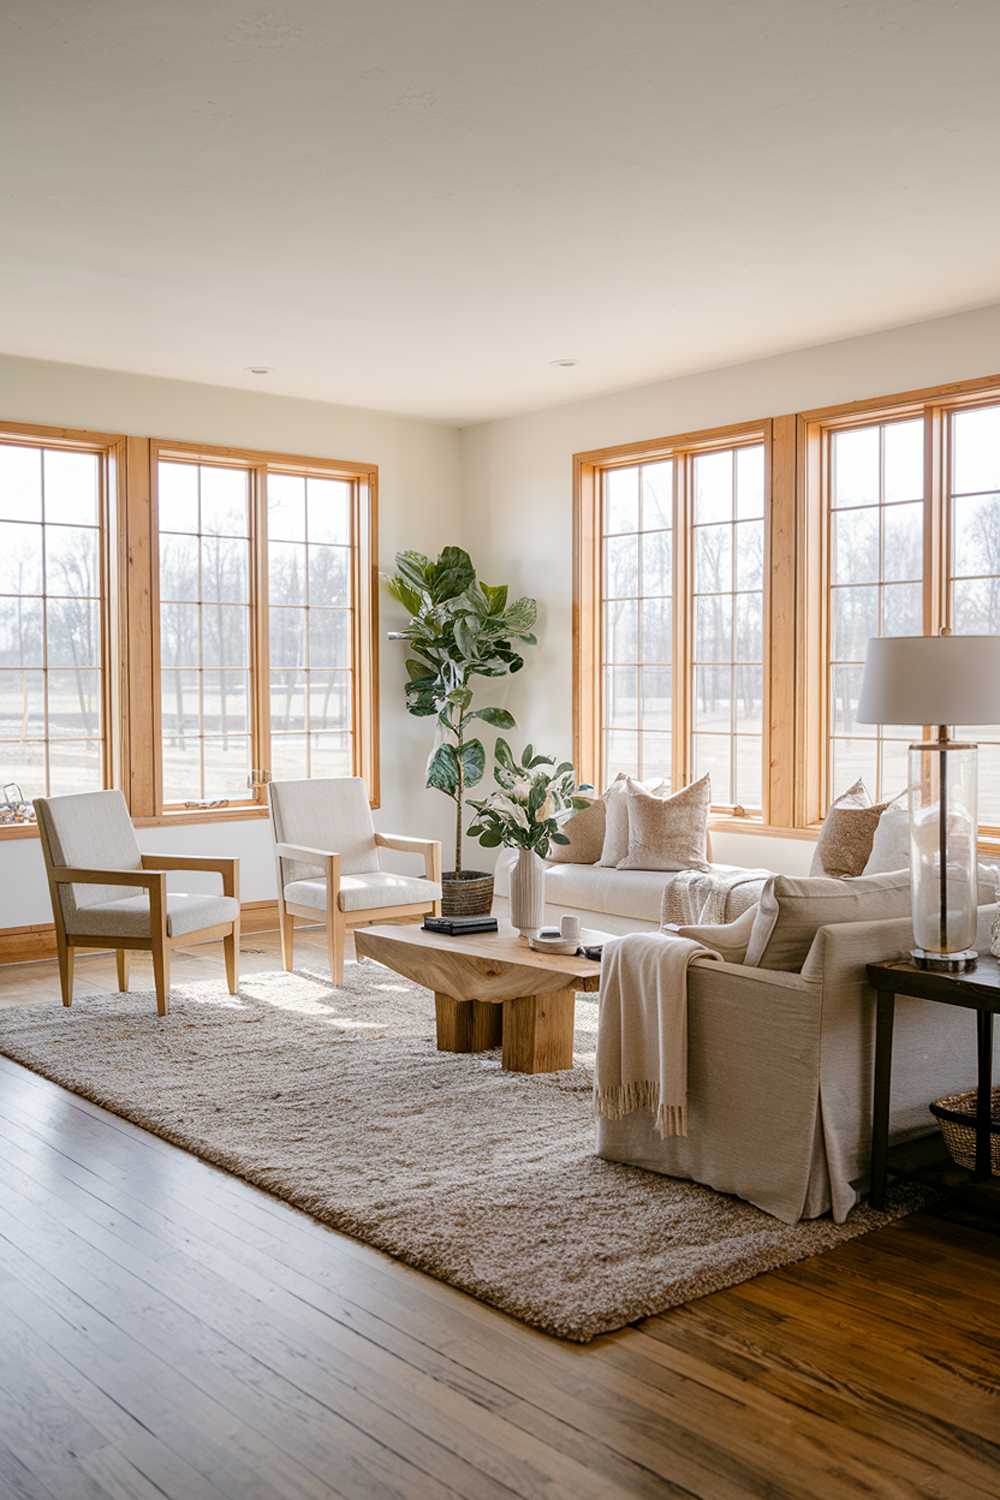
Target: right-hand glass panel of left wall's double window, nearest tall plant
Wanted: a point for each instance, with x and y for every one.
(311, 595)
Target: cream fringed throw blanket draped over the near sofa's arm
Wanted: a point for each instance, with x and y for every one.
(642, 1030)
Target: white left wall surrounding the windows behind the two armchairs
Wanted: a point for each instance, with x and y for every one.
(419, 508)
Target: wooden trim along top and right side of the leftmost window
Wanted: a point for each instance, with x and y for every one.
(109, 448)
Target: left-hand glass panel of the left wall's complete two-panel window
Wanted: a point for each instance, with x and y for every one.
(206, 629)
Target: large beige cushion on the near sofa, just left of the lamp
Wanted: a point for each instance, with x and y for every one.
(794, 908)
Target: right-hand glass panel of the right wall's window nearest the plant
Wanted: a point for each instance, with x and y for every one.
(728, 553)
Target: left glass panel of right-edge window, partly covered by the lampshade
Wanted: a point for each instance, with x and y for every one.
(875, 589)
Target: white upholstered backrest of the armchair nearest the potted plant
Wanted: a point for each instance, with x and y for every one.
(331, 814)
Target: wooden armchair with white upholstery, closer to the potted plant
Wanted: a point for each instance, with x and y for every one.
(329, 865)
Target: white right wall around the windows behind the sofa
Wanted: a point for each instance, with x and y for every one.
(519, 478)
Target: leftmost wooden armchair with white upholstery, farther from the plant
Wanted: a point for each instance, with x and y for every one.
(124, 902)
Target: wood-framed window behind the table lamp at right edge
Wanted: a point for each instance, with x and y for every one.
(902, 524)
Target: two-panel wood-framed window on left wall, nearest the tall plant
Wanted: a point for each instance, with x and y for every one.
(266, 652)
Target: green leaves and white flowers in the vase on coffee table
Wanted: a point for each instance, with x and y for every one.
(531, 803)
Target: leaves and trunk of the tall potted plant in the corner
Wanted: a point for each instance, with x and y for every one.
(460, 629)
